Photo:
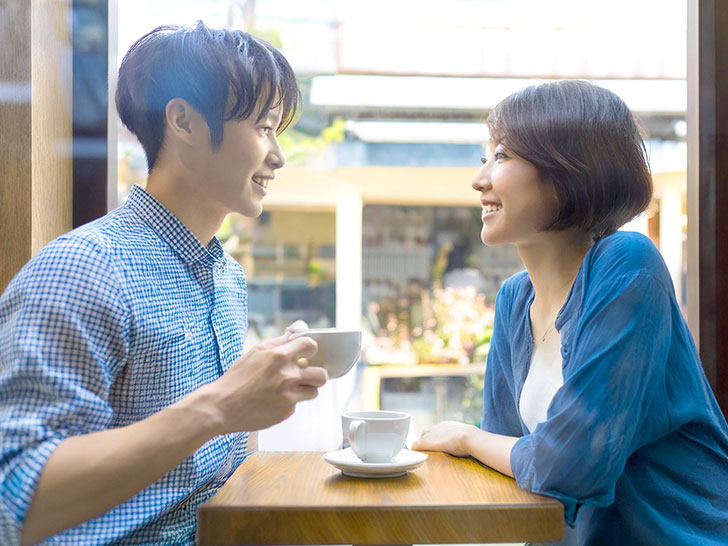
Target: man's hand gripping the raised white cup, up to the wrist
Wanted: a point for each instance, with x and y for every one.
(263, 387)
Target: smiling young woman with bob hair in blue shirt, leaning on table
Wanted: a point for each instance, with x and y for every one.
(594, 393)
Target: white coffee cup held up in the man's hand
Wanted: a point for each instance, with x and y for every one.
(338, 350)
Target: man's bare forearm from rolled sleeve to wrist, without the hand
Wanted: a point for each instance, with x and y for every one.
(87, 475)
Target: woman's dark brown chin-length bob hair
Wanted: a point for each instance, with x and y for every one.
(584, 140)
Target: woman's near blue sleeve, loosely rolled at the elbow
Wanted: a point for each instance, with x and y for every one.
(600, 416)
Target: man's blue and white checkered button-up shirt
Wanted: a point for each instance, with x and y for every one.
(105, 326)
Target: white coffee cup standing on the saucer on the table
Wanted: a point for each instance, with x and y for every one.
(376, 436)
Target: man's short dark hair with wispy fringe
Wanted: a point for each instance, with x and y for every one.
(224, 74)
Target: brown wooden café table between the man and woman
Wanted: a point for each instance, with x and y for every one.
(298, 498)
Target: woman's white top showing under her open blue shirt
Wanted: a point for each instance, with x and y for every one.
(544, 378)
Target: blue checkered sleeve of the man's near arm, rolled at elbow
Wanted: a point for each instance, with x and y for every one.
(63, 338)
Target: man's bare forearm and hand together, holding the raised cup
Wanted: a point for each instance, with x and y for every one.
(91, 473)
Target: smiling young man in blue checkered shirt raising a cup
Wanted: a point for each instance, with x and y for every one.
(124, 399)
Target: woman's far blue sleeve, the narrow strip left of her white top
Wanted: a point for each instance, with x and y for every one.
(499, 406)
